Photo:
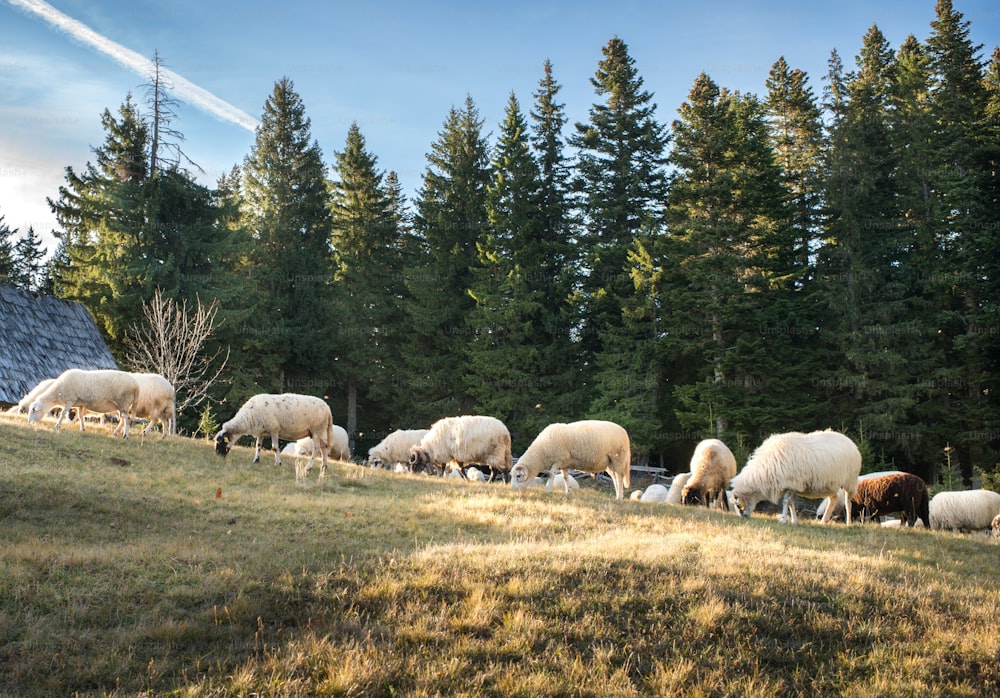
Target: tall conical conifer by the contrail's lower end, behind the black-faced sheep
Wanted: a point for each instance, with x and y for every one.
(285, 211)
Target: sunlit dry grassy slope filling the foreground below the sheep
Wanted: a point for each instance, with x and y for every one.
(122, 573)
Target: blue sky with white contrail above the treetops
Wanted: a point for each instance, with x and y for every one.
(395, 67)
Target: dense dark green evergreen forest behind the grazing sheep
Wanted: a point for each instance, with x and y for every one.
(823, 254)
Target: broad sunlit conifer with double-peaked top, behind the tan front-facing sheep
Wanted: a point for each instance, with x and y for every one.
(733, 256)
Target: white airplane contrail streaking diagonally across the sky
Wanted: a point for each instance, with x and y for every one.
(182, 87)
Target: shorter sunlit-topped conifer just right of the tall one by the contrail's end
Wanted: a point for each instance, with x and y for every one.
(369, 290)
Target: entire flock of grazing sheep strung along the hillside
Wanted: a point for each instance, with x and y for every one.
(819, 465)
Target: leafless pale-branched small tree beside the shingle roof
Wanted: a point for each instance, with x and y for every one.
(169, 341)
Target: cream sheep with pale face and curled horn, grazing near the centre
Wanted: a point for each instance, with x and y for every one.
(591, 446)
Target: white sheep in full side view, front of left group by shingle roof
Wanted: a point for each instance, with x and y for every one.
(102, 390)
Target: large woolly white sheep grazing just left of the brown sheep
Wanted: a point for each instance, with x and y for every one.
(814, 465)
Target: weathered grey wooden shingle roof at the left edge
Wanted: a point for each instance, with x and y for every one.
(42, 336)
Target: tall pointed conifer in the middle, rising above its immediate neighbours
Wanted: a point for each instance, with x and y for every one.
(621, 181)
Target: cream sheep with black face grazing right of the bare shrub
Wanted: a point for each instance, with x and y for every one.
(289, 416)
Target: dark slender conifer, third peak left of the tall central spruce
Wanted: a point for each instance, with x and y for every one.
(451, 220)
